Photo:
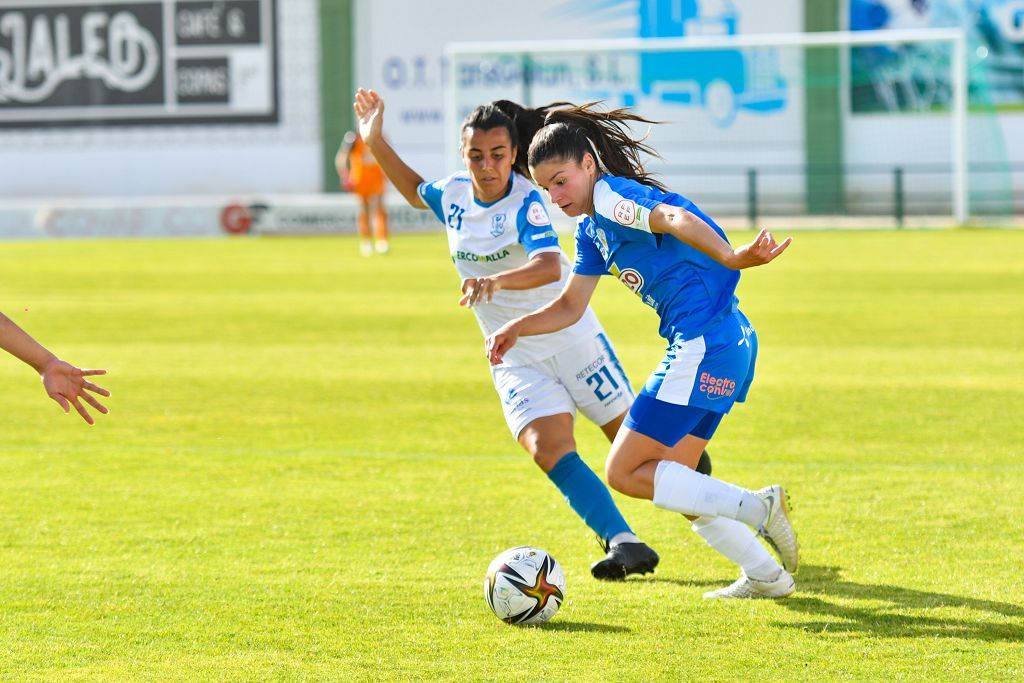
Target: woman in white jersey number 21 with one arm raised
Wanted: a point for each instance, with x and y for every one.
(507, 254)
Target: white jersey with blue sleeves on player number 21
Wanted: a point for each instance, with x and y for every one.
(486, 240)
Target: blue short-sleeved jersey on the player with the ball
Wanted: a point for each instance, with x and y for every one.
(691, 291)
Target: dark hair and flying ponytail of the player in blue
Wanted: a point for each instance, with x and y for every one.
(573, 132)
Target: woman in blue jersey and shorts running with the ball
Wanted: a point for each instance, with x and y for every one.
(678, 262)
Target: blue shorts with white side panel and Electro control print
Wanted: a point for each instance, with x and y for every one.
(698, 377)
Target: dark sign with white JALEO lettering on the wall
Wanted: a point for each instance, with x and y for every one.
(138, 63)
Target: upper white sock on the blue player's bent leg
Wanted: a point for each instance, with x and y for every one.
(679, 489)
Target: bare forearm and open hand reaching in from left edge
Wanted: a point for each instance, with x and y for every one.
(64, 382)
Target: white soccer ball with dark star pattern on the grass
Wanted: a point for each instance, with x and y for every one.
(525, 586)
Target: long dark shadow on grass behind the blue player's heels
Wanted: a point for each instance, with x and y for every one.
(890, 616)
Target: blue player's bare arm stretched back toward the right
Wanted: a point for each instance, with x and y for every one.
(691, 230)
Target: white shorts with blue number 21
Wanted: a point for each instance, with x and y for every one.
(587, 377)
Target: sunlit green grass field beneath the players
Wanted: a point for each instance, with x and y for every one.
(306, 473)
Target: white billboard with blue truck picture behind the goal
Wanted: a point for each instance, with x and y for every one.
(724, 106)
